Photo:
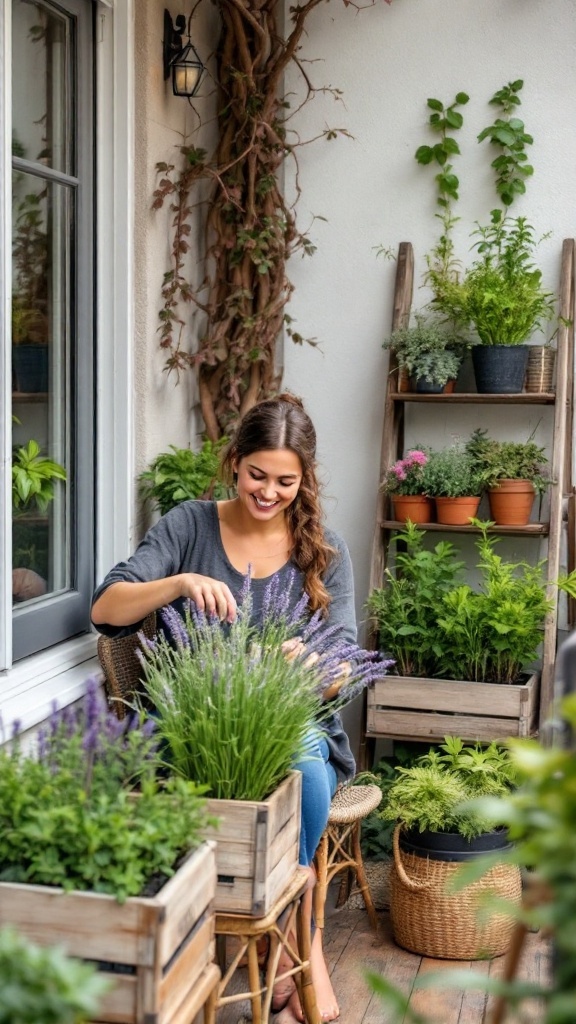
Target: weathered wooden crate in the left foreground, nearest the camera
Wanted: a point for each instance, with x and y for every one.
(155, 950)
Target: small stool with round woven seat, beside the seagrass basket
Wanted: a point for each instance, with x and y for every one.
(339, 849)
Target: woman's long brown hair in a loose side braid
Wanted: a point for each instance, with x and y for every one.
(283, 423)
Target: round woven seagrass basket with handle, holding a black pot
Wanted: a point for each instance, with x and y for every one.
(430, 920)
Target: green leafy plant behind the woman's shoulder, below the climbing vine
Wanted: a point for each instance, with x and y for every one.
(181, 475)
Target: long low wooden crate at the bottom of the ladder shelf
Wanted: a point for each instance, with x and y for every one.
(405, 707)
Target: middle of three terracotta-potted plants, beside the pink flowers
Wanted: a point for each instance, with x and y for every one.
(451, 478)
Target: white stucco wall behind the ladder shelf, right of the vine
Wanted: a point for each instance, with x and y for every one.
(388, 61)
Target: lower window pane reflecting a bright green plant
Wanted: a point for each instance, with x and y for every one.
(43, 385)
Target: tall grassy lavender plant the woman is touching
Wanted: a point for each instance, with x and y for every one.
(235, 703)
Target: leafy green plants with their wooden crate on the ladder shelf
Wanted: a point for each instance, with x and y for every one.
(478, 643)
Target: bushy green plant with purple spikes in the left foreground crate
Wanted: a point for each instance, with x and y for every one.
(68, 815)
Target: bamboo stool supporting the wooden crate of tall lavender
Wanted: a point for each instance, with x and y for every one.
(283, 921)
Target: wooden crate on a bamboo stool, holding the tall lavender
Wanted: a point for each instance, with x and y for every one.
(258, 848)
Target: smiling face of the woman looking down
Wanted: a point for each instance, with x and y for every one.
(269, 482)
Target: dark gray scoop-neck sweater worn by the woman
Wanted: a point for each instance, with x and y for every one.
(188, 540)
